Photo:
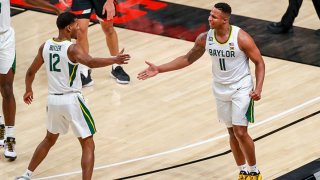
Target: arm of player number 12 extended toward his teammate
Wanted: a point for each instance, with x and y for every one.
(76, 54)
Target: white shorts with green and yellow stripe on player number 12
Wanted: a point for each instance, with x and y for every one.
(69, 109)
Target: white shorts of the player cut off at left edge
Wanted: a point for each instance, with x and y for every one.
(7, 51)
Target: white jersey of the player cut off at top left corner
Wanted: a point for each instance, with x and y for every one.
(4, 15)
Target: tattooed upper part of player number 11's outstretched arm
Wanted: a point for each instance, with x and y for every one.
(198, 49)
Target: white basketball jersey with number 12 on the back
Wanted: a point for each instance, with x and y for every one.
(63, 75)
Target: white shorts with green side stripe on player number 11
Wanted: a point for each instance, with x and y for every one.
(234, 105)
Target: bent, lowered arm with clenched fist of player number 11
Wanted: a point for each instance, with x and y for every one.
(247, 44)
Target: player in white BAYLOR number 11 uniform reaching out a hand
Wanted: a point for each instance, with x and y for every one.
(230, 49)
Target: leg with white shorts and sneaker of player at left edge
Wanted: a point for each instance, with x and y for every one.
(7, 70)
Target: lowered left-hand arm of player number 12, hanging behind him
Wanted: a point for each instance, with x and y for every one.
(33, 69)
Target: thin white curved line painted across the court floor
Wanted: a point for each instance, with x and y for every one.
(188, 146)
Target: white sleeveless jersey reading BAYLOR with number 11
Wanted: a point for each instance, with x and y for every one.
(229, 63)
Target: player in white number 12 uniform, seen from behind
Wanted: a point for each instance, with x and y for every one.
(66, 105)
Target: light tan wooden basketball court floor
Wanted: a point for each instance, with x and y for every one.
(166, 127)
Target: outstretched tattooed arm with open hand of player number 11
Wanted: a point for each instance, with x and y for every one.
(180, 62)
